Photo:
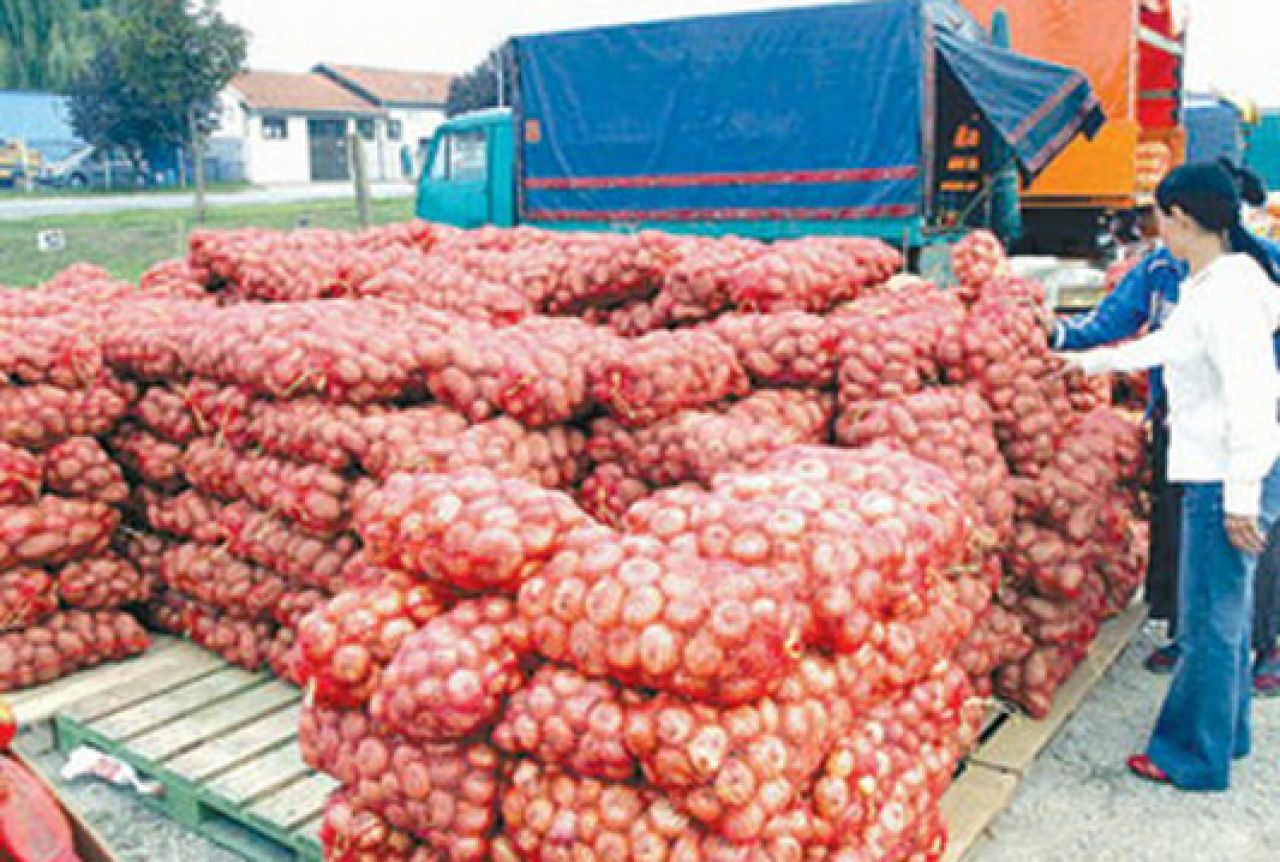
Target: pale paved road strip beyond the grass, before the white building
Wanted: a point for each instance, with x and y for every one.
(19, 209)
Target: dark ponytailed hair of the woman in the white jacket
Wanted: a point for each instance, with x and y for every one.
(1209, 193)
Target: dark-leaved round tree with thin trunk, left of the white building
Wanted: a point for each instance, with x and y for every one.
(171, 61)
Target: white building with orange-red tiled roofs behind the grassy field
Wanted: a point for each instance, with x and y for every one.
(294, 129)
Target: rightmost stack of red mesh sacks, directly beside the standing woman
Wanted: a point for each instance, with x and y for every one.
(1078, 550)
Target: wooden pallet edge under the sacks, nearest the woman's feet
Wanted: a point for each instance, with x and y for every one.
(1012, 744)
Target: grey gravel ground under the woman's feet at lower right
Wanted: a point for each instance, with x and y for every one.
(1078, 802)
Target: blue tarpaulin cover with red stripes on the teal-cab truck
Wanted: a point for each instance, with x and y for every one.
(810, 115)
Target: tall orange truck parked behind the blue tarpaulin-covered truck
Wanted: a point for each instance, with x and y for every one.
(1132, 52)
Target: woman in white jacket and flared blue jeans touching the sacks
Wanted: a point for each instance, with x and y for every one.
(1219, 366)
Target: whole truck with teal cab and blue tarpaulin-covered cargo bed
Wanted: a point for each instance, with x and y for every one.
(886, 118)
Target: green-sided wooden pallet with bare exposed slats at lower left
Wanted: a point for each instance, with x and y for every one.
(222, 742)
